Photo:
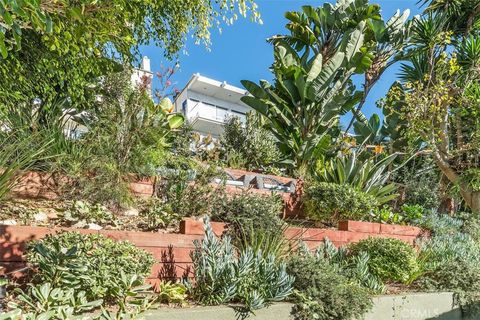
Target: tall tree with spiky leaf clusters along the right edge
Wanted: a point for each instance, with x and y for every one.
(443, 91)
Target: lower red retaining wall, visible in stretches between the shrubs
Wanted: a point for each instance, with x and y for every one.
(172, 251)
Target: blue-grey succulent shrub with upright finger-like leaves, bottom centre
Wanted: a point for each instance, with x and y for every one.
(223, 275)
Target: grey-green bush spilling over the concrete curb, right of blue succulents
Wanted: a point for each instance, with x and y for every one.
(323, 293)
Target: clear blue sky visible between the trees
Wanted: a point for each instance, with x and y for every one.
(241, 52)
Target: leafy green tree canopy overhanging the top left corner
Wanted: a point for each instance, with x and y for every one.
(54, 50)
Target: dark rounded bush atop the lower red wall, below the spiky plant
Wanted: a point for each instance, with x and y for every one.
(330, 203)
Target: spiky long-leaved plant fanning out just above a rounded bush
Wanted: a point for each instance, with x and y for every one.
(370, 176)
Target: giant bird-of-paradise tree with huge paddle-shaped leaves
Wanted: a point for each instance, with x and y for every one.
(313, 67)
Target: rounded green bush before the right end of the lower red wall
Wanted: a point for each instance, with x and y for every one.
(390, 259)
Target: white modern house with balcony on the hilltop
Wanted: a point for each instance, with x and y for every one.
(207, 103)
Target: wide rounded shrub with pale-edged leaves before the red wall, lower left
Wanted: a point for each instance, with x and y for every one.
(91, 263)
